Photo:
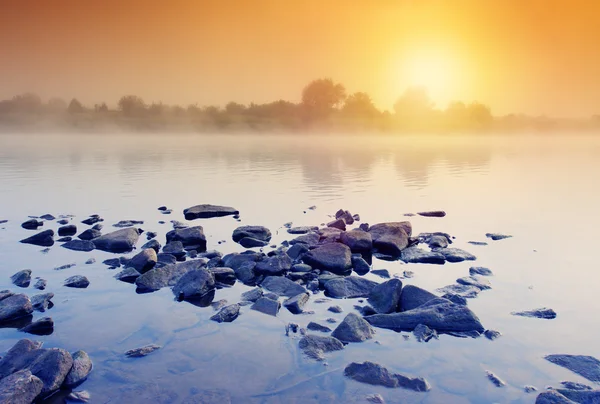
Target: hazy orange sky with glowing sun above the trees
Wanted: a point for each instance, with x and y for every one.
(532, 56)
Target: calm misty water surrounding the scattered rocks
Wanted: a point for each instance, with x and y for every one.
(543, 191)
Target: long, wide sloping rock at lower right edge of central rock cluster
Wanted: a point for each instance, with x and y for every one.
(438, 314)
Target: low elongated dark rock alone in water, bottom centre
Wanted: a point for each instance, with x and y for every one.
(372, 373)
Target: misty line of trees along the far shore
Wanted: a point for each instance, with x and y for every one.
(324, 105)
